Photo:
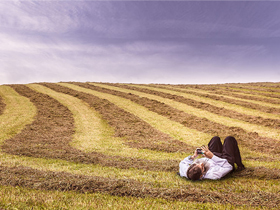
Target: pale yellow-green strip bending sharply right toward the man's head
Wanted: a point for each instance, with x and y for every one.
(92, 133)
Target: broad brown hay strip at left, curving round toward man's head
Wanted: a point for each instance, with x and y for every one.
(51, 131)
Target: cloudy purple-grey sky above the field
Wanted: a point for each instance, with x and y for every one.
(174, 42)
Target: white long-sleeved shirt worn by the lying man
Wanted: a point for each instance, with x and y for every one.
(218, 167)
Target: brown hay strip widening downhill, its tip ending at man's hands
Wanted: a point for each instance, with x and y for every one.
(137, 132)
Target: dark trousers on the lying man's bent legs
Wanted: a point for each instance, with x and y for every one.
(229, 150)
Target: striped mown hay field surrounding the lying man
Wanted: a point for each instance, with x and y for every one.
(118, 146)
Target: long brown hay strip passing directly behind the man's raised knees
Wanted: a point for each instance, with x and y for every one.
(249, 140)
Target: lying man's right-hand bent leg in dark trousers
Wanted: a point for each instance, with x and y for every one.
(231, 152)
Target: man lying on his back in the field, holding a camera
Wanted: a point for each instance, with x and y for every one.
(218, 160)
